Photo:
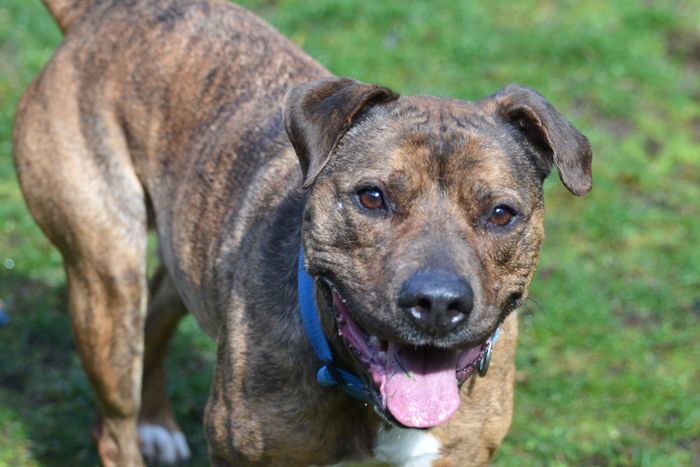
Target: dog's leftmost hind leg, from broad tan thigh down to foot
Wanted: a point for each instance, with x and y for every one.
(81, 187)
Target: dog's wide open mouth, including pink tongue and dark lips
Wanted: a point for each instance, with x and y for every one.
(417, 385)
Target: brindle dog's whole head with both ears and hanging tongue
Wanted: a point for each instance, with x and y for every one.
(423, 225)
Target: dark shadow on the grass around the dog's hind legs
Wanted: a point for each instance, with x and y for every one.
(46, 404)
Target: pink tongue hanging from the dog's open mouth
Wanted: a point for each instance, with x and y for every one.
(421, 385)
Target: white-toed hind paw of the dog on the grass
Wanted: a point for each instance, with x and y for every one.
(160, 446)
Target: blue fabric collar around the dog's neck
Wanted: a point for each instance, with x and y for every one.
(328, 374)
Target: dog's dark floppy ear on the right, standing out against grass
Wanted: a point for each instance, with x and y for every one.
(551, 136)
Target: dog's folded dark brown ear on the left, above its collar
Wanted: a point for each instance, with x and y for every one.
(318, 114)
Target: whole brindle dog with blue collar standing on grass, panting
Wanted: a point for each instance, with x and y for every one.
(357, 255)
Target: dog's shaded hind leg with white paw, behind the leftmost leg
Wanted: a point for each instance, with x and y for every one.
(160, 436)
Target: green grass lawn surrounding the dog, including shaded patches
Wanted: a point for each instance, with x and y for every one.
(608, 358)
